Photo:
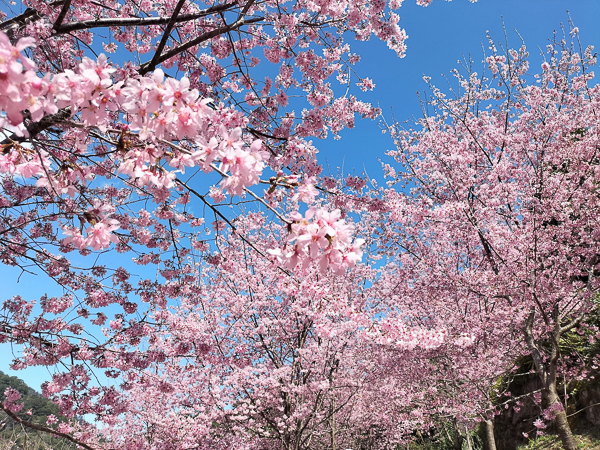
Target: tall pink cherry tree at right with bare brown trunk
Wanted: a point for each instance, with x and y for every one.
(502, 209)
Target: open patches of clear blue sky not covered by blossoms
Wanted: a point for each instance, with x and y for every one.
(439, 36)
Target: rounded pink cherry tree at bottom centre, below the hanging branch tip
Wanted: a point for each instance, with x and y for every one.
(253, 358)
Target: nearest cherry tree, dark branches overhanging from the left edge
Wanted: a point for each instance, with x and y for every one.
(103, 159)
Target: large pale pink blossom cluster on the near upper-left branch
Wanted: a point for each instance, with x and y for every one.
(157, 108)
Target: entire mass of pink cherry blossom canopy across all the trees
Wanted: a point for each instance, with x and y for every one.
(217, 290)
